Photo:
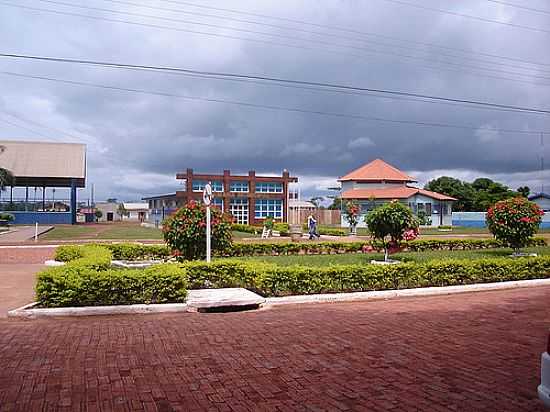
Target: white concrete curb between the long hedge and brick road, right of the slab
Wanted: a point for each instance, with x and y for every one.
(404, 293)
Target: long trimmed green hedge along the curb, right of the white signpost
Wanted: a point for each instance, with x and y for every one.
(273, 280)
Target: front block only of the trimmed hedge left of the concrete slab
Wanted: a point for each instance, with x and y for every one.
(82, 285)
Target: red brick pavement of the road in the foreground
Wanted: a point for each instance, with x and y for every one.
(474, 352)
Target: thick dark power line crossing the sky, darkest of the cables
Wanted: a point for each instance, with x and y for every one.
(323, 86)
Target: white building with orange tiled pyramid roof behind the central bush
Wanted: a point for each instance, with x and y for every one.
(378, 182)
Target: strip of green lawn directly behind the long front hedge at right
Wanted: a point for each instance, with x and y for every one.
(363, 259)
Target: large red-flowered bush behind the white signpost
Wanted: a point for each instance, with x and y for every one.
(185, 231)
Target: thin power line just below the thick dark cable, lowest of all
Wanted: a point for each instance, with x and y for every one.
(276, 107)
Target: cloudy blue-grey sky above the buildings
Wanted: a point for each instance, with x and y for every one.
(137, 141)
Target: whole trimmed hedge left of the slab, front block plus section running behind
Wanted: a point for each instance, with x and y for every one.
(87, 279)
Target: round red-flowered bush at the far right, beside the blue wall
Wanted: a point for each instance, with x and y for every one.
(514, 221)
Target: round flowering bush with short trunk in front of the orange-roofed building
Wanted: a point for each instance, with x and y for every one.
(391, 224)
